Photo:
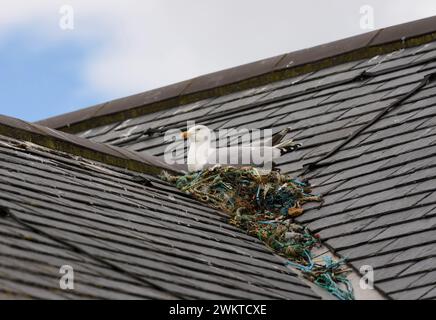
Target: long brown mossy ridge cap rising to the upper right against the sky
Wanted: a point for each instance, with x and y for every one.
(249, 75)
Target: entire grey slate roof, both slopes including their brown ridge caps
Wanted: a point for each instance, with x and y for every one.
(363, 107)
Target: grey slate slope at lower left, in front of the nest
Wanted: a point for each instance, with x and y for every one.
(127, 235)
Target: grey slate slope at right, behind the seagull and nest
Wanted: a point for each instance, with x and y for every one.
(379, 188)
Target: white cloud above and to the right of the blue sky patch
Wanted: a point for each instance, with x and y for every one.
(151, 43)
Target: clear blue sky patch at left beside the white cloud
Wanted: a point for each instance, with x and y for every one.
(40, 79)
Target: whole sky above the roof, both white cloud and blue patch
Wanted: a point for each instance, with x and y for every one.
(121, 47)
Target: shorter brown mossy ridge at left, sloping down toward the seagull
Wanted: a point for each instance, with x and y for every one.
(73, 145)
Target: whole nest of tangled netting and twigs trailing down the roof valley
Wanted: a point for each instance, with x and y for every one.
(265, 204)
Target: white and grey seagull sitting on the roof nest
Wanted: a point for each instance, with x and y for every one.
(202, 155)
